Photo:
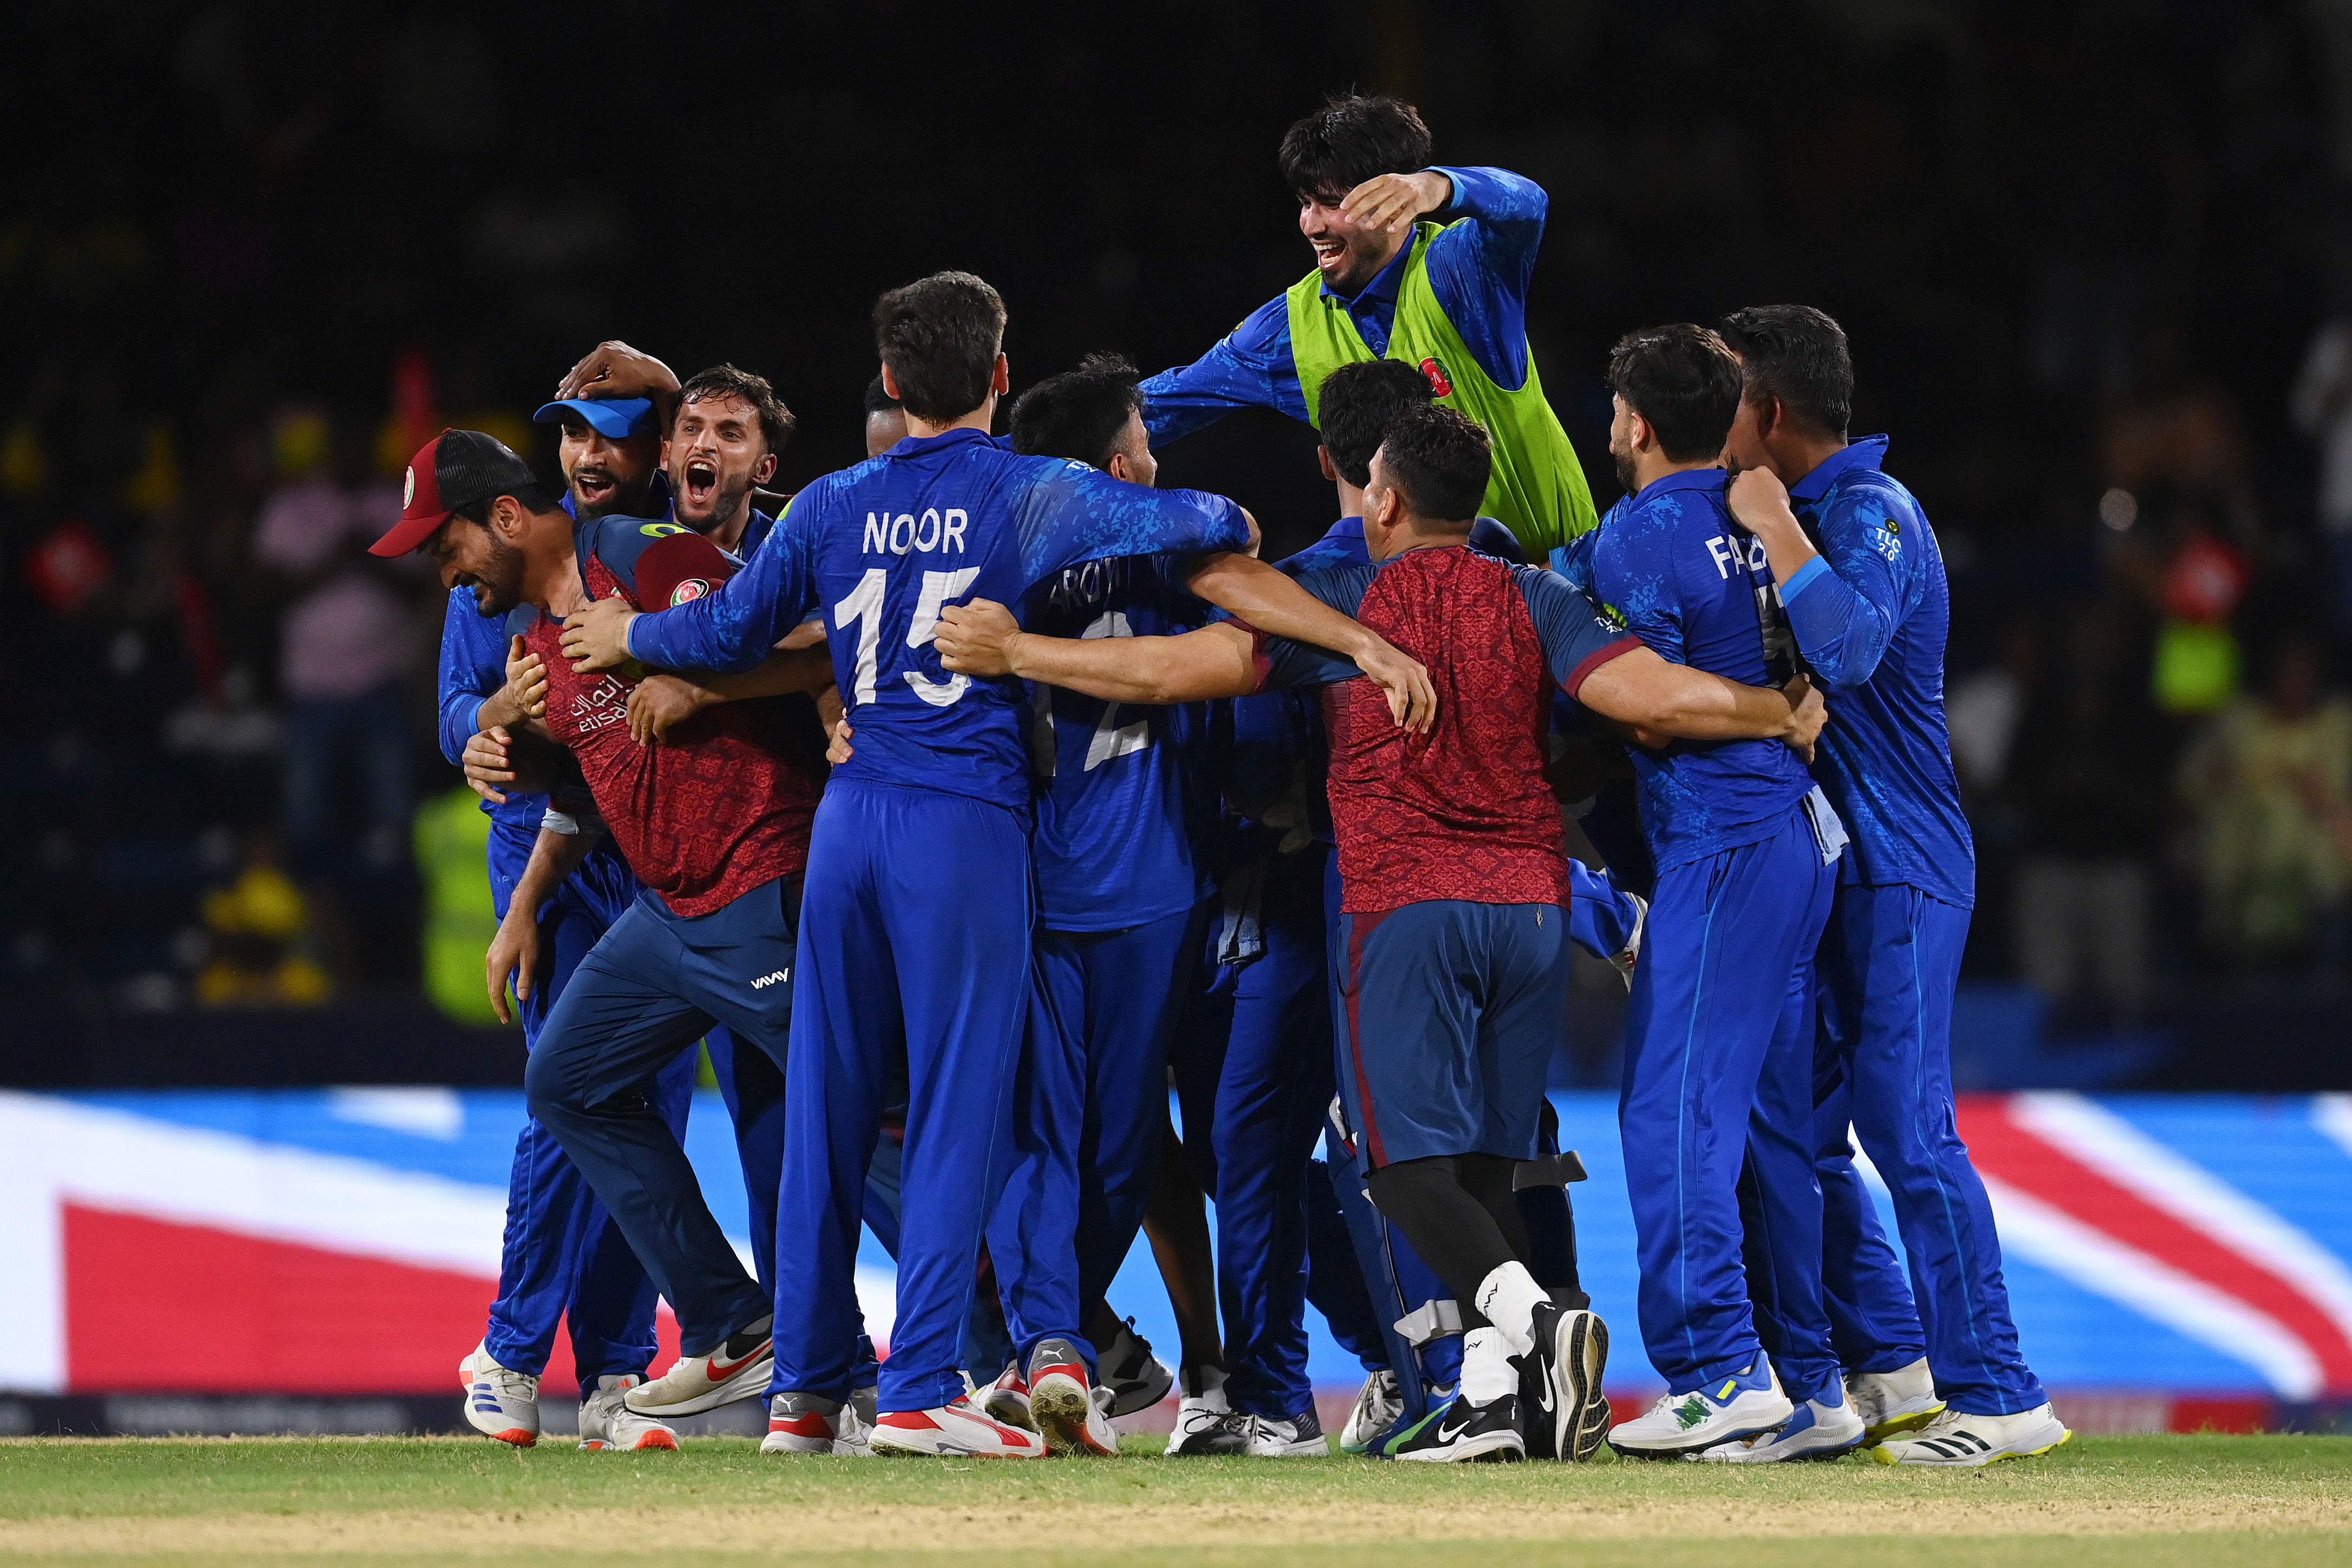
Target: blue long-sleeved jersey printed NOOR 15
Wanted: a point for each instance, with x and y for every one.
(893, 542)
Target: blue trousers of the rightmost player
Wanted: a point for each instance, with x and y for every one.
(1890, 965)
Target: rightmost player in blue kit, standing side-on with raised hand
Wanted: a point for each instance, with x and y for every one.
(1871, 610)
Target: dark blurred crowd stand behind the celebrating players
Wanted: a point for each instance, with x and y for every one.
(2092, 257)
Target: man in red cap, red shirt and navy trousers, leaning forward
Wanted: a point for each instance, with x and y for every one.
(709, 939)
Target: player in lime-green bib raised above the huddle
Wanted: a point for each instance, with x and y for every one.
(1445, 295)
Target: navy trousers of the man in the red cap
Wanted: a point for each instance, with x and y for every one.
(643, 996)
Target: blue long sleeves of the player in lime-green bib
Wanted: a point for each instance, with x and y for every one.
(1481, 267)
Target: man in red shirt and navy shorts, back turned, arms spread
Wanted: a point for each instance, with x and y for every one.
(1455, 927)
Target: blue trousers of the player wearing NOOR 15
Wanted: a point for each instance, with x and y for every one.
(916, 932)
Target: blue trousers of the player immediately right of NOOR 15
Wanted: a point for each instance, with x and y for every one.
(1088, 1115)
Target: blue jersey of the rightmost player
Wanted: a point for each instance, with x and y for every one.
(1871, 615)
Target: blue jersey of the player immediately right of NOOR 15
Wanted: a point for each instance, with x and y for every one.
(1123, 812)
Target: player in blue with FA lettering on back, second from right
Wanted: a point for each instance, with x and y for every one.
(1718, 1033)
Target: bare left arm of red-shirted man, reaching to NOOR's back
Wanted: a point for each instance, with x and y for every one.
(982, 638)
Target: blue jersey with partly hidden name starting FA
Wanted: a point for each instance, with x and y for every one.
(1697, 589)
